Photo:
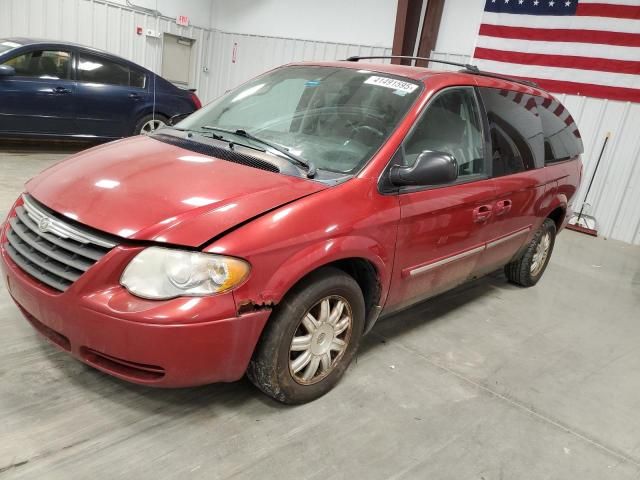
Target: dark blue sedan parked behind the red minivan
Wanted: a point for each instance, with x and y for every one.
(58, 89)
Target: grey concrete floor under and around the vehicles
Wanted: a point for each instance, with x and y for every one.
(487, 382)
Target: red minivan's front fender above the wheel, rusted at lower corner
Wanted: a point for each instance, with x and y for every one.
(351, 220)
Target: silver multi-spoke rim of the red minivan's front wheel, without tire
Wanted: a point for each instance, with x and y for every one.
(320, 340)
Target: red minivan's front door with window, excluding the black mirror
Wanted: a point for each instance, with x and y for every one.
(442, 231)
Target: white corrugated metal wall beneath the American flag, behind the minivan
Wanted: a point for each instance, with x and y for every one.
(614, 199)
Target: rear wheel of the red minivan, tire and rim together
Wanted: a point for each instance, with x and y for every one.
(528, 269)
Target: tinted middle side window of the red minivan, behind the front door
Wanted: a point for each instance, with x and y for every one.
(516, 132)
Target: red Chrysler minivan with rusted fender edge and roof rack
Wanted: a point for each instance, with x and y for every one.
(267, 232)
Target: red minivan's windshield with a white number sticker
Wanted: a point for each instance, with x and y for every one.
(334, 118)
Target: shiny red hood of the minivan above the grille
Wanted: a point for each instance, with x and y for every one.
(143, 189)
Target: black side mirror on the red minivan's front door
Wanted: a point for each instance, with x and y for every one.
(431, 168)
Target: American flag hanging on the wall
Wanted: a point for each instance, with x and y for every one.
(580, 47)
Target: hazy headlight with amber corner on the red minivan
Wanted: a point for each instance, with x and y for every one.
(162, 273)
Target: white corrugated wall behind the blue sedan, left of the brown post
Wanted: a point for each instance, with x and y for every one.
(111, 26)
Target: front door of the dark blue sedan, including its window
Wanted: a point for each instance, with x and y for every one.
(40, 97)
